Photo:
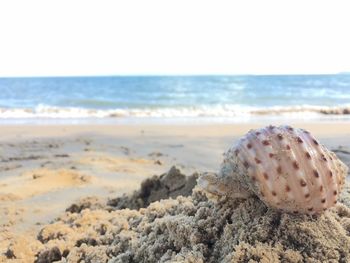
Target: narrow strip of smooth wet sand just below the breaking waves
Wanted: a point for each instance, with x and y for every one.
(15, 130)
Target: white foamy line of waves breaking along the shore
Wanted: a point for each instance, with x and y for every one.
(201, 111)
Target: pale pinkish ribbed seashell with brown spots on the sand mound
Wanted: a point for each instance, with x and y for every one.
(287, 168)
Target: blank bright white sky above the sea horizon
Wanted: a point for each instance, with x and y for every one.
(173, 37)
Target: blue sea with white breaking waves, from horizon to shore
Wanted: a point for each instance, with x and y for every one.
(174, 98)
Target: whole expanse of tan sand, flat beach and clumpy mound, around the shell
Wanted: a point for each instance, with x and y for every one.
(126, 213)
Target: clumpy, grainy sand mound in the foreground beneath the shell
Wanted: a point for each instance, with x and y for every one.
(194, 229)
